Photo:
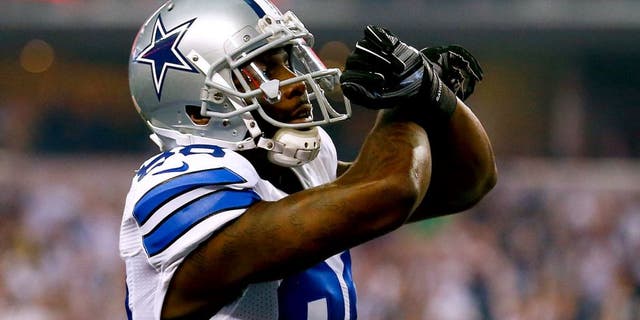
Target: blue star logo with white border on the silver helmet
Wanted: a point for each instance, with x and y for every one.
(162, 53)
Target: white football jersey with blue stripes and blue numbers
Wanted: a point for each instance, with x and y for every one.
(179, 198)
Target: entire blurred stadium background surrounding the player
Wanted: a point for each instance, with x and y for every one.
(558, 238)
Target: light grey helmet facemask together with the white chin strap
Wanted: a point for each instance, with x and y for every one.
(294, 143)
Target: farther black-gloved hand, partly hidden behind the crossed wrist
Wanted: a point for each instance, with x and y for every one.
(457, 68)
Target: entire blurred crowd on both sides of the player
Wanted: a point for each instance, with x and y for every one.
(524, 253)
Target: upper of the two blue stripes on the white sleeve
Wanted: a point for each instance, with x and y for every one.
(172, 188)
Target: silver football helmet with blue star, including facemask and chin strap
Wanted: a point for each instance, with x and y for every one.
(188, 54)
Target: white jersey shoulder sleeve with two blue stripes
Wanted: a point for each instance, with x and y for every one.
(184, 195)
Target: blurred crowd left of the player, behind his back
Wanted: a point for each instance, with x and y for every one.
(59, 238)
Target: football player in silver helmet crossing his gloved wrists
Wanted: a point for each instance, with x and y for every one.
(247, 213)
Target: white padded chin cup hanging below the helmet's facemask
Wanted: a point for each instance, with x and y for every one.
(291, 147)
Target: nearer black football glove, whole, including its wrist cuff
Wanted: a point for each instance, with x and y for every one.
(383, 72)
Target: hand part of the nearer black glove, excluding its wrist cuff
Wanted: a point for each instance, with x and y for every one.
(382, 70)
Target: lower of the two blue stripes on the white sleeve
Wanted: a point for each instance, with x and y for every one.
(185, 218)
